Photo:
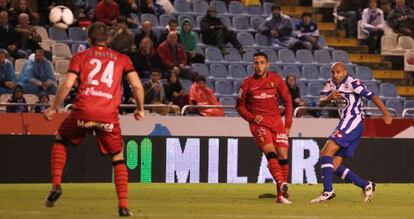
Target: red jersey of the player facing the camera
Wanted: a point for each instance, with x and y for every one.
(260, 96)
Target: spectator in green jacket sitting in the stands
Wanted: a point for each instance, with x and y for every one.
(188, 40)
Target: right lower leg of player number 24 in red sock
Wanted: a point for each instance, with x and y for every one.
(121, 184)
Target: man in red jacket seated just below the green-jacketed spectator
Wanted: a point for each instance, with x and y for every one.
(173, 56)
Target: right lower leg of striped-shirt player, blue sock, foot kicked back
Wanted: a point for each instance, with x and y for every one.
(368, 188)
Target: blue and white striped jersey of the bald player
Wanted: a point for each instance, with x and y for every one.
(350, 105)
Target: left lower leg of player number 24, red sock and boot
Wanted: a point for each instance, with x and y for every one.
(58, 160)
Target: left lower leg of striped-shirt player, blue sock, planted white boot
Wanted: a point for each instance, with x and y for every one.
(327, 175)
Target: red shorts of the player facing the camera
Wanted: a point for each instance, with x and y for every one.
(264, 136)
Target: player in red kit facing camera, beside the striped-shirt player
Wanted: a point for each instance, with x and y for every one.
(258, 103)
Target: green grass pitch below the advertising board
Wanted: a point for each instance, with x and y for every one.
(204, 201)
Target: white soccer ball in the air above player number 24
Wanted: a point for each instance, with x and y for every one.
(61, 17)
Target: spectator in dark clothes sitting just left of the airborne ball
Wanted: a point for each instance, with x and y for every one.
(28, 39)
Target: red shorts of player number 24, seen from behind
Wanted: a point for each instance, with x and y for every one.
(108, 135)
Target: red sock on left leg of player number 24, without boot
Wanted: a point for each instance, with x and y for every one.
(58, 160)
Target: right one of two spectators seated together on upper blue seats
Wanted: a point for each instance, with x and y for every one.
(307, 31)
